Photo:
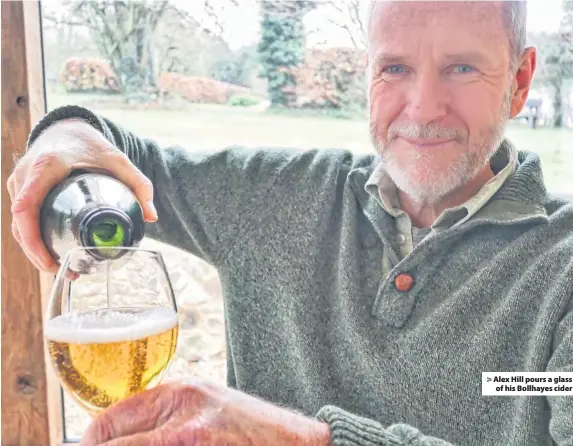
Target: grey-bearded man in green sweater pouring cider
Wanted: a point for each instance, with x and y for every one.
(364, 295)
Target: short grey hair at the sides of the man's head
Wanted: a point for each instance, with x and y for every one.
(514, 17)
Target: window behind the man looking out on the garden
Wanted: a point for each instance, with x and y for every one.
(189, 73)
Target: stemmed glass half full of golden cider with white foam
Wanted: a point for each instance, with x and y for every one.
(111, 324)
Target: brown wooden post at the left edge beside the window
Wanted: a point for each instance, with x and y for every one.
(31, 404)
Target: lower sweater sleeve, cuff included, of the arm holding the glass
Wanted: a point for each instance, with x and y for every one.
(348, 429)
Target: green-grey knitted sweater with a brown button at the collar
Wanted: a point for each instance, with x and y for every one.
(313, 325)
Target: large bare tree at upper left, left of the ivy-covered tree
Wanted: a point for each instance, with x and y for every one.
(139, 39)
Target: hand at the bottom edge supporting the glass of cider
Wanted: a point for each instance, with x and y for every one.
(202, 414)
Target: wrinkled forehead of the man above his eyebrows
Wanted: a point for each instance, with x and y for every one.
(393, 20)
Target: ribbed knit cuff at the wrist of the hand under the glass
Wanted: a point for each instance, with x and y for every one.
(348, 429)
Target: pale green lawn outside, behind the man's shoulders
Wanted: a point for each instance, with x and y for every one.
(214, 127)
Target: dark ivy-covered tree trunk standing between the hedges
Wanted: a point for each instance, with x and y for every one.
(282, 46)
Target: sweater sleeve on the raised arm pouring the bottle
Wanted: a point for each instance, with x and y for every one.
(204, 201)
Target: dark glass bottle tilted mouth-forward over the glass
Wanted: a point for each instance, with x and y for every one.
(93, 210)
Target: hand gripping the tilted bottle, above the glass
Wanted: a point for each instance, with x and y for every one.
(66, 145)
